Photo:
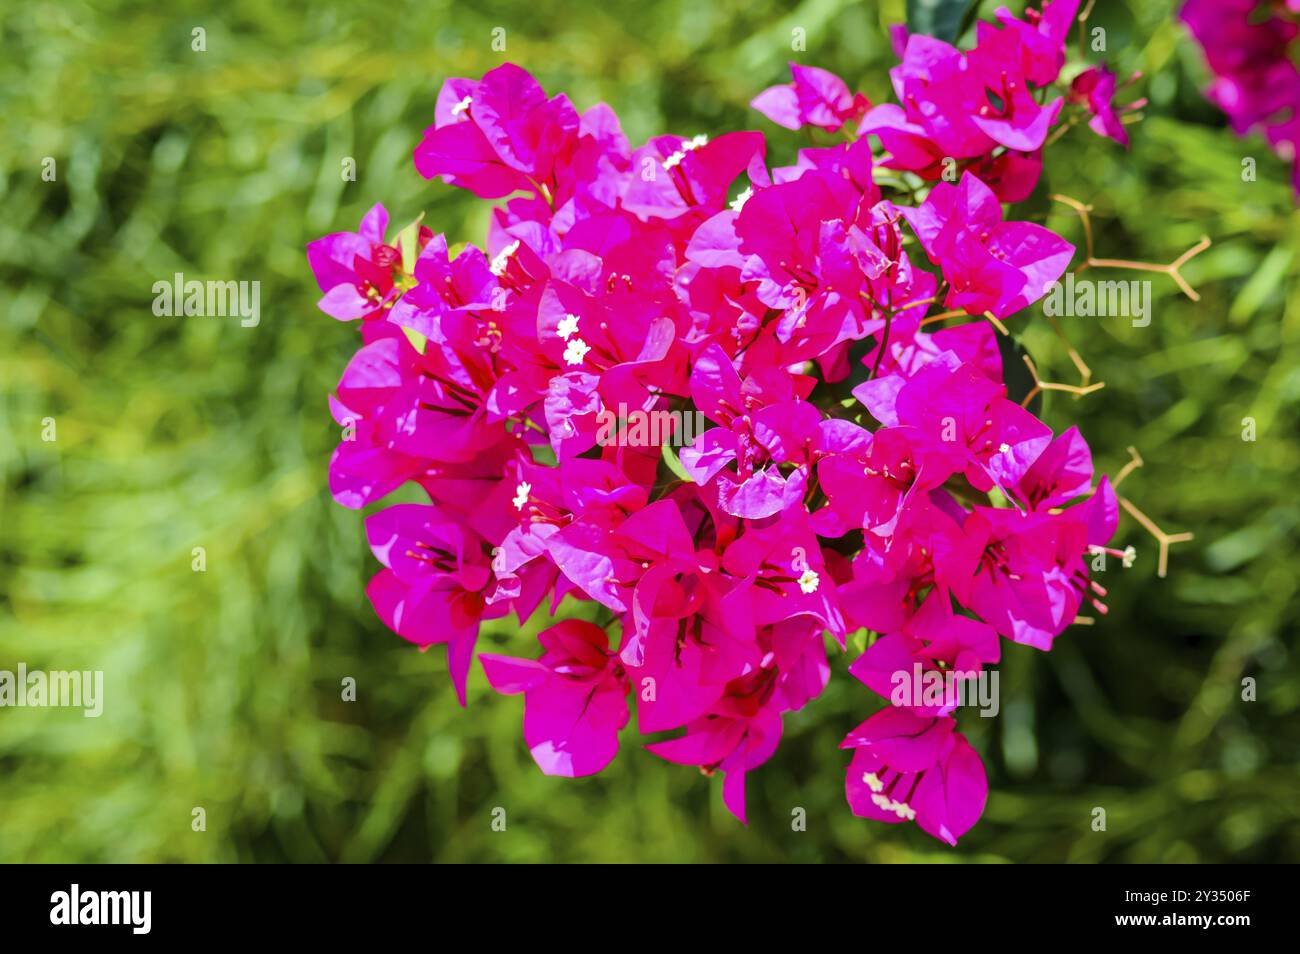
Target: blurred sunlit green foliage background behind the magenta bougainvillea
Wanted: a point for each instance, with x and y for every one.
(224, 687)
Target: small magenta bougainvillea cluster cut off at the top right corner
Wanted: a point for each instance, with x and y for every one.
(1253, 50)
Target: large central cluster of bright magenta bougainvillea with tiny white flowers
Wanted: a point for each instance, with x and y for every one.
(857, 469)
